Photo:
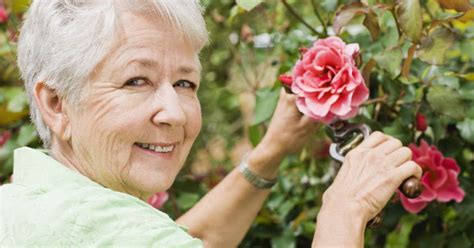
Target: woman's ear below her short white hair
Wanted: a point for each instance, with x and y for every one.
(53, 111)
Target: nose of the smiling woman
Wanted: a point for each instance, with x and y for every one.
(170, 109)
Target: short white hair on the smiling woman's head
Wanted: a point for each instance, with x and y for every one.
(62, 41)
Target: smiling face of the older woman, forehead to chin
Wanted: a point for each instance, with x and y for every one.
(139, 114)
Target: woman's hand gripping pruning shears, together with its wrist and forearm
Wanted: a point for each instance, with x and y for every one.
(366, 181)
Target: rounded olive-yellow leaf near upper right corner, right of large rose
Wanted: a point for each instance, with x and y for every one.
(433, 47)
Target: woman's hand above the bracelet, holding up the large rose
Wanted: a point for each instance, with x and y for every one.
(289, 130)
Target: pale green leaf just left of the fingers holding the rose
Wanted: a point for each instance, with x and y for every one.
(266, 102)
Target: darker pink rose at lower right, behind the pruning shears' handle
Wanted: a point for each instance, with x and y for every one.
(439, 178)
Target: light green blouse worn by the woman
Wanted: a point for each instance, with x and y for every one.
(49, 205)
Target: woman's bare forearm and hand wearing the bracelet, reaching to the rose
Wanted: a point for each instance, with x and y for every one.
(225, 214)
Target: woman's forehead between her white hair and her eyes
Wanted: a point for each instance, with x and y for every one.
(151, 44)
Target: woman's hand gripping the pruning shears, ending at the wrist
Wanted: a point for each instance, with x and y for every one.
(370, 175)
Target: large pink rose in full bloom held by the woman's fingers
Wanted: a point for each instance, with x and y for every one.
(327, 81)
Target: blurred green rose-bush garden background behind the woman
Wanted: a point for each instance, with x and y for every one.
(417, 58)
